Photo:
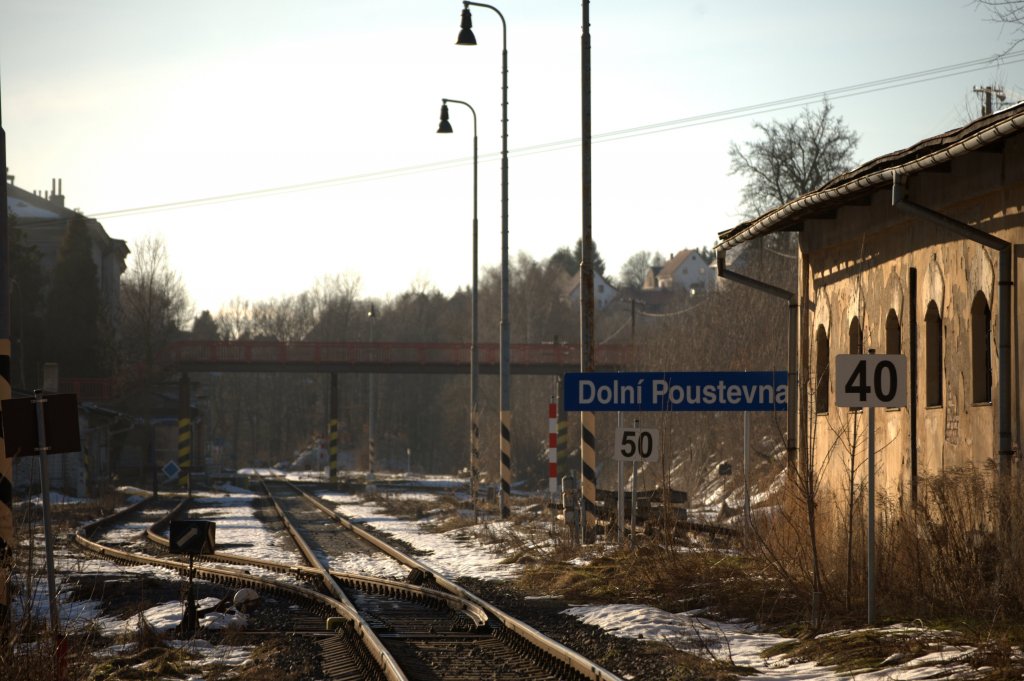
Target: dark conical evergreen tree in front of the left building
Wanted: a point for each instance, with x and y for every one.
(75, 316)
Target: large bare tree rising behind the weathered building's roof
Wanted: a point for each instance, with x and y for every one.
(793, 158)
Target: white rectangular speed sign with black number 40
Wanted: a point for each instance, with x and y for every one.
(871, 380)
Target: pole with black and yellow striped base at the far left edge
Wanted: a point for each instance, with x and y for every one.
(7, 465)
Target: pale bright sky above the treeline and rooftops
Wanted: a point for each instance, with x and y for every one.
(276, 146)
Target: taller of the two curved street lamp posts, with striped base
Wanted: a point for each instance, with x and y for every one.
(466, 37)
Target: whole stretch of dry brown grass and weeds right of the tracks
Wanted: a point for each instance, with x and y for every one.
(953, 562)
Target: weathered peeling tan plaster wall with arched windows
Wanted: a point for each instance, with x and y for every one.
(859, 264)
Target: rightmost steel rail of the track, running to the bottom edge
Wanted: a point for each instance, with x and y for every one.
(561, 653)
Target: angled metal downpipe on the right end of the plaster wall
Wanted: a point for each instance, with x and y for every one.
(901, 202)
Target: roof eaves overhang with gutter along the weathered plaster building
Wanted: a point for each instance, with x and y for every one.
(791, 215)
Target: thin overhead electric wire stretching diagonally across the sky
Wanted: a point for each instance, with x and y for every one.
(648, 130)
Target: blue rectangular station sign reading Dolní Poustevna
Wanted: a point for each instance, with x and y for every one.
(676, 392)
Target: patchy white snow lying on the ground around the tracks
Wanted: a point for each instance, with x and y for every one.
(451, 555)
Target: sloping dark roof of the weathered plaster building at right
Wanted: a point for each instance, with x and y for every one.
(874, 176)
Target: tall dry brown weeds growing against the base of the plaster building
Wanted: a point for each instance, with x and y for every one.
(954, 557)
